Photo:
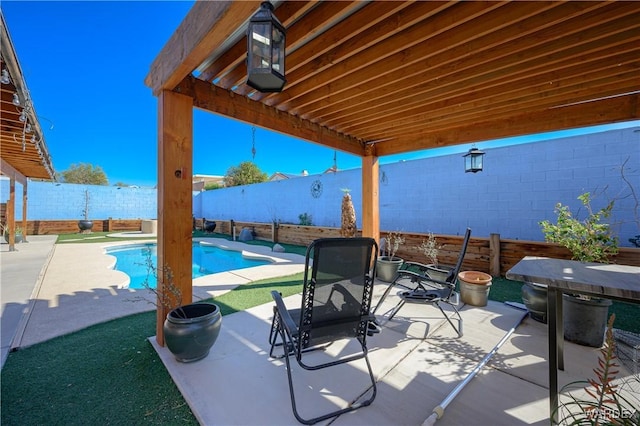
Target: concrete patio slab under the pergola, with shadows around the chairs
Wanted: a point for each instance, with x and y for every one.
(239, 384)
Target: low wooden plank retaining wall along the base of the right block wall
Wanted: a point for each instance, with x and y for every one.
(492, 255)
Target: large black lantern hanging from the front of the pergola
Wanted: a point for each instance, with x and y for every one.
(265, 51)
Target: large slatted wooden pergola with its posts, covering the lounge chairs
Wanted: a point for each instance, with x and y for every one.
(375, 78)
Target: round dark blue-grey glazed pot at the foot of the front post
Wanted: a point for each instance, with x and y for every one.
(191, 330)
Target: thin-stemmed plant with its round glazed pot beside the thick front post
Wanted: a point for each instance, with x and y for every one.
(189, 330)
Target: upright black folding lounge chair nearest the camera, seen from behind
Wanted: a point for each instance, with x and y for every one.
(336, 300)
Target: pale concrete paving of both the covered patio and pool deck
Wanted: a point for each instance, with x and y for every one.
(417, 358)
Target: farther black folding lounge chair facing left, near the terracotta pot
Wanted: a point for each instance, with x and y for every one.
(419, 284)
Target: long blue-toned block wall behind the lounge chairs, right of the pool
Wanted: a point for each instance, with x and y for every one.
(519, 187)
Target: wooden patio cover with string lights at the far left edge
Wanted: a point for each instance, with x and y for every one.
(24, 152)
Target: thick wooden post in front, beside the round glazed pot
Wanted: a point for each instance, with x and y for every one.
(175, 205)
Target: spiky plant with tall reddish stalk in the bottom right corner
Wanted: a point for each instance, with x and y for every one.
(599, 400)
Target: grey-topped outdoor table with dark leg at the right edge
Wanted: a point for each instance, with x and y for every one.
(618, 282)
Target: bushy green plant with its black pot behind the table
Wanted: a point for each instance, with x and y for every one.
(589, 240)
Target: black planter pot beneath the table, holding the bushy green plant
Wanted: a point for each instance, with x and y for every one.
(585, 321)
